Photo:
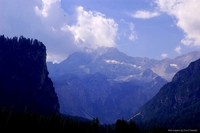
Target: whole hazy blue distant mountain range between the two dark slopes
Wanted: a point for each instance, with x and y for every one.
(108, 84)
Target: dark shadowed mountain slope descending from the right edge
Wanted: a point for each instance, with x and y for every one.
(177, 104)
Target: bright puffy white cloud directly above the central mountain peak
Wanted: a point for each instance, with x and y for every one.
(93, 29)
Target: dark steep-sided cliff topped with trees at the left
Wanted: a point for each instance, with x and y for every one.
(24, 80)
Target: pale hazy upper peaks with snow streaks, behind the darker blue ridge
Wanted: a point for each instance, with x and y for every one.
(111, 62)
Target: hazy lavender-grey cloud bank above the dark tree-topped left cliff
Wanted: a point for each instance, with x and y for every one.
(33, 20)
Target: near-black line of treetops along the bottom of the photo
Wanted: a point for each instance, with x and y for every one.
(32, 122)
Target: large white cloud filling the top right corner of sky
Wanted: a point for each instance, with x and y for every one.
(187, 17)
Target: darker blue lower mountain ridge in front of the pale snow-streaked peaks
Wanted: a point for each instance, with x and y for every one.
(94, 96)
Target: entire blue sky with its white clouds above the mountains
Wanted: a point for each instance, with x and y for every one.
(147, 28)
